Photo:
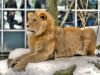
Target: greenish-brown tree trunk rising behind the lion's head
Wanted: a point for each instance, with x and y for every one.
(52, 9)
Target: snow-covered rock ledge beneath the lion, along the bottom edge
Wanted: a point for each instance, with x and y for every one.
(83, 63)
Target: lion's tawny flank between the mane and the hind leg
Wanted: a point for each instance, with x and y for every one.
(68, 40)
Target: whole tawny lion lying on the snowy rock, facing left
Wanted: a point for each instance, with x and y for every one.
(46, 41)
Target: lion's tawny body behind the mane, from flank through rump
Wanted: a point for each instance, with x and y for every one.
(70, 41)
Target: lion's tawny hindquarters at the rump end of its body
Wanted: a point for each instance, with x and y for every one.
(89, 41)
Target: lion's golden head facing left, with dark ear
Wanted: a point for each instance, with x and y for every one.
(39, 22)
